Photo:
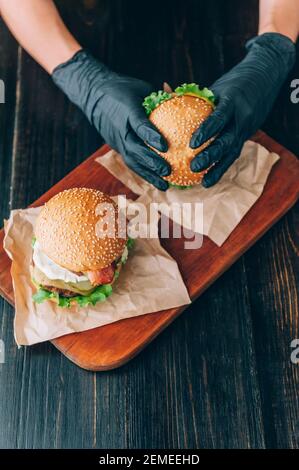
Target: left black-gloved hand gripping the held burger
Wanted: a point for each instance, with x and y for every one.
(113, 104)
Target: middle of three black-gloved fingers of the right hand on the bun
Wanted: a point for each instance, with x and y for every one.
(214, 152)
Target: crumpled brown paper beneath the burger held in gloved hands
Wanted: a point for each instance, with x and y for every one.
(224, 205)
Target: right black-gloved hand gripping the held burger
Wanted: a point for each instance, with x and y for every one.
(244, 97)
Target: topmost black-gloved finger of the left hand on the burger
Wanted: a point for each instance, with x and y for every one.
(146, 131)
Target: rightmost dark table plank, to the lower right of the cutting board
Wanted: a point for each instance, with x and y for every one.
(272, 268)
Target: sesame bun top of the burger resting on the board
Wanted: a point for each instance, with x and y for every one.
(71, 230)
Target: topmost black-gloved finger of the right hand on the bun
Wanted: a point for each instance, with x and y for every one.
(214, 124)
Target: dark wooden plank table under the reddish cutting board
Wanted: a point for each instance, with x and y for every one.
(221, 375)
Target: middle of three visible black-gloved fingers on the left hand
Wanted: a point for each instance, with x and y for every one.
(146, 157)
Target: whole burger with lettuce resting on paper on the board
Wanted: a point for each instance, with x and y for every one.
(76, 256)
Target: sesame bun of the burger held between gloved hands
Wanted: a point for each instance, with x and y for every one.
(177, 119)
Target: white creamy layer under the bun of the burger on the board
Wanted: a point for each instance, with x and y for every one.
(53, 270)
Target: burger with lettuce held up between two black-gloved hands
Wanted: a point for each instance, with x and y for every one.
(177, 115)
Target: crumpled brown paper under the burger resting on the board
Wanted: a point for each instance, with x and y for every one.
(150, 281)
